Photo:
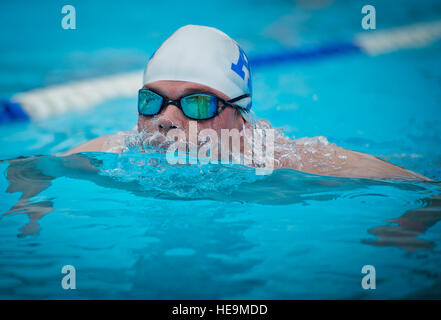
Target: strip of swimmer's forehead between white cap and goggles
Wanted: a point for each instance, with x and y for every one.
(175, 89)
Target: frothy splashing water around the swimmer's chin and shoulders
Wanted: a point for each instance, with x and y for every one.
(297, 154)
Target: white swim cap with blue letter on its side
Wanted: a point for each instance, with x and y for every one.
(206, 56)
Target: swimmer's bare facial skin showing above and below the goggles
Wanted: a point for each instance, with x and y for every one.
(172, 117)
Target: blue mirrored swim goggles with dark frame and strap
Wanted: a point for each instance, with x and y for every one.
(198, 106)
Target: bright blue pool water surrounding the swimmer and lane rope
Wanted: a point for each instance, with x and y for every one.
(221, 231)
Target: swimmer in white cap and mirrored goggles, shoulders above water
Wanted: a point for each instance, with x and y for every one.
(201, 74)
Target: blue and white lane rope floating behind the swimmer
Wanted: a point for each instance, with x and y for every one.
(45, 102)
